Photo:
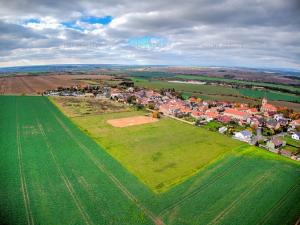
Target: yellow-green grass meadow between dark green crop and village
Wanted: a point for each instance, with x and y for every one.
(161, 154)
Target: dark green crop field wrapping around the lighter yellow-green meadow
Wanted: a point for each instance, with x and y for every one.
(52, 173)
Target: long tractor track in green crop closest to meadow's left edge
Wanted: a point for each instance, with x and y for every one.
(115, 180)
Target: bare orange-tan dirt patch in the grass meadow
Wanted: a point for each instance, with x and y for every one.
(131, 121)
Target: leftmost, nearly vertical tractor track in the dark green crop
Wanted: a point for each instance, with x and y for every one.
(30, 220)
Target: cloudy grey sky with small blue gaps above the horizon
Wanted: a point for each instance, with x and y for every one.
(249, 33)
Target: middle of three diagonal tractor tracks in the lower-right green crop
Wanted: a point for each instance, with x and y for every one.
(238, 199)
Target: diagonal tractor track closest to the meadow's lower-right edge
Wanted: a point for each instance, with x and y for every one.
(201, 188)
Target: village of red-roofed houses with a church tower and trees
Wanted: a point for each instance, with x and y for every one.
(272, 128)
